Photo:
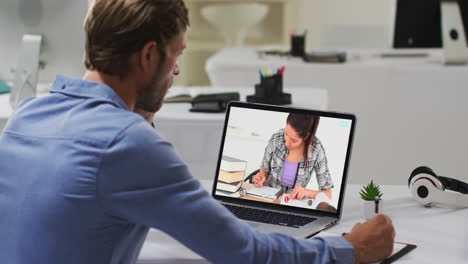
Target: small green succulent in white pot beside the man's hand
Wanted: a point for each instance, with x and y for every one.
(372, 203)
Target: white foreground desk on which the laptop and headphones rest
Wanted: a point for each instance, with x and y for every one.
(441, 234)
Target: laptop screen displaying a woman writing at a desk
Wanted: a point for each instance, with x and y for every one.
(284, 157)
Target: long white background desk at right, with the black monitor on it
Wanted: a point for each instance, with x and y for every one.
(410, 111)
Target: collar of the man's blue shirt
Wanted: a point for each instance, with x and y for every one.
(87, 89)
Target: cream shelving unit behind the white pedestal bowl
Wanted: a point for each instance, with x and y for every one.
(203, 40)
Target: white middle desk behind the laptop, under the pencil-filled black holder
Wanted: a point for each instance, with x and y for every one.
(196, 136)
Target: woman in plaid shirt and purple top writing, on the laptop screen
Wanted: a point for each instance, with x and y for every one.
(292, 155)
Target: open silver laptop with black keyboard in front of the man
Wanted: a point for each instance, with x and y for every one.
(248, 129)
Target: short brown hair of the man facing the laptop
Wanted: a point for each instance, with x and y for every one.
(115, 29)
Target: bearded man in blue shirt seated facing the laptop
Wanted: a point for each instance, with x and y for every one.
(83, 177)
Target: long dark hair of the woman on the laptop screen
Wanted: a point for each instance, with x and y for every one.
(306, 127)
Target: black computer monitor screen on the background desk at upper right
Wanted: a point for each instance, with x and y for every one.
(418, 23)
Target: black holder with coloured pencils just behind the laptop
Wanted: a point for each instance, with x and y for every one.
(270, 91)
